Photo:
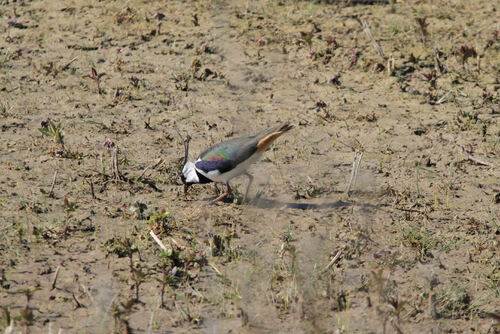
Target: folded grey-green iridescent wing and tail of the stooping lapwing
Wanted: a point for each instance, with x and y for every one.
(227, 155)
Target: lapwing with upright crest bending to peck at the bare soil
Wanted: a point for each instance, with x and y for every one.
(228, 159)
